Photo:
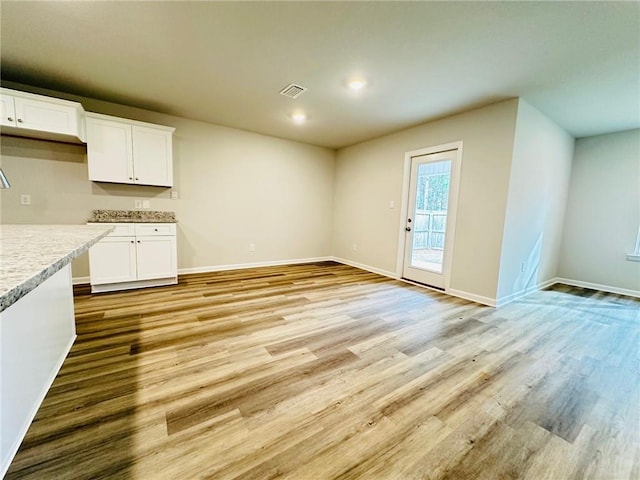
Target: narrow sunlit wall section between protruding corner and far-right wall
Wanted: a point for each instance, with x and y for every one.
(538, 188)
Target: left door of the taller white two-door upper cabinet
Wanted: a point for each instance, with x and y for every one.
(109, 151)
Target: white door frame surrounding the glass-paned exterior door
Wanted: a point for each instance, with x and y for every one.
(451, 213)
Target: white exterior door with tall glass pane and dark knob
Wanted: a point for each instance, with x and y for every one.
(430, 218)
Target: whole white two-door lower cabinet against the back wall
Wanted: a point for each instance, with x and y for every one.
(134, 255)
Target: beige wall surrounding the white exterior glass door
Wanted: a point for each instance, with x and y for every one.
(370, 175)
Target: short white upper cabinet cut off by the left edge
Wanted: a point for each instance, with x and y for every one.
(29, 115)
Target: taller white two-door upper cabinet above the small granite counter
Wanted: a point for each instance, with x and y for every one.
(127, 151)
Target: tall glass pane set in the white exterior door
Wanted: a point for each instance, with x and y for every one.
(432, 197)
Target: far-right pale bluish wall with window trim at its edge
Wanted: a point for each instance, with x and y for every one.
(603, 212)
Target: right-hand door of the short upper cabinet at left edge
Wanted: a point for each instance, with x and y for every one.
(46, 116)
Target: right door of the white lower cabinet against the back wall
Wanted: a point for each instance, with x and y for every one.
(156, 257)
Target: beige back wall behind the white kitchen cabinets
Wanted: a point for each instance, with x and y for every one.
(235, 188)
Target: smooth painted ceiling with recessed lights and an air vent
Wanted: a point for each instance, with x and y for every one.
(224, 62)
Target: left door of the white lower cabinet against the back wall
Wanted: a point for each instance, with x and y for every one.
(113, 260)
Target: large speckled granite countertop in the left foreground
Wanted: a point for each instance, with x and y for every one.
(29, 254)
